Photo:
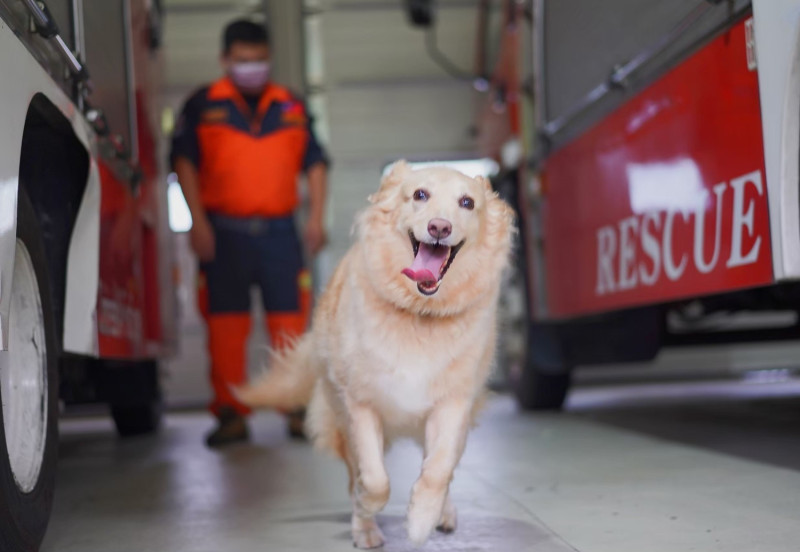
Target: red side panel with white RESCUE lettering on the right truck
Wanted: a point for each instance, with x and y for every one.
(666, 198)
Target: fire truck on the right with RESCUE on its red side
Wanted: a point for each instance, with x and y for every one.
(660, 187)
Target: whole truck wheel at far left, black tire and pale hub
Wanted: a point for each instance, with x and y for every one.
(29, 389)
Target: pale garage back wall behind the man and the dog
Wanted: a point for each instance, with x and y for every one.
(379, 91)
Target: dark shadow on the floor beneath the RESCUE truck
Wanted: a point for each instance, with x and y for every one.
(758, 423)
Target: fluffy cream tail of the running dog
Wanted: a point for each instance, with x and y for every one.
(289, 382)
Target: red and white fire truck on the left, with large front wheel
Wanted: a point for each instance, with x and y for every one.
(85, 271)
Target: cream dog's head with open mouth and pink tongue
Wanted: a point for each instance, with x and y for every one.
(436, 240)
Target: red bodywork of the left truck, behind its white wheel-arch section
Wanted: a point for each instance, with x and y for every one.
(129, 310)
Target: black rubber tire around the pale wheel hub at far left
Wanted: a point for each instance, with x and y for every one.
(24, 515)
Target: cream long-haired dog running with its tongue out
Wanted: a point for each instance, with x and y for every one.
(402, 340)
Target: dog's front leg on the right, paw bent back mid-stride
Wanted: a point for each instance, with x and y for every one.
(445, 438)
